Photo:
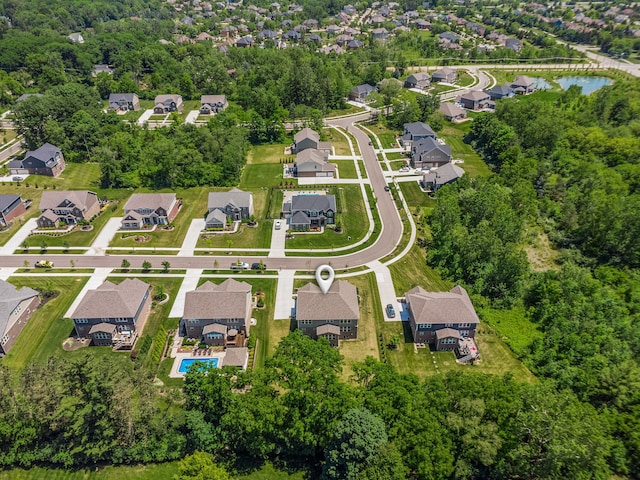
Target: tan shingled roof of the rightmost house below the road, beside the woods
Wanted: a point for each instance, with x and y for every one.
(437, 308)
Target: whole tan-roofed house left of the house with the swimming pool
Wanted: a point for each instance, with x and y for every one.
(113, 315)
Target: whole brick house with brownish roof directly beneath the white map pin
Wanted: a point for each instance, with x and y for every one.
(333, 315)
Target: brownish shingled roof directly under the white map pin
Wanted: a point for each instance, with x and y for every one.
(339, 303)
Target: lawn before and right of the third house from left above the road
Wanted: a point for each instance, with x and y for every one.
(194, 205)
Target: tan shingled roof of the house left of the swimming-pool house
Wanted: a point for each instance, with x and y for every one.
(113, 301)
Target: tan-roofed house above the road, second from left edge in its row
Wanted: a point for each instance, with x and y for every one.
(68, 207)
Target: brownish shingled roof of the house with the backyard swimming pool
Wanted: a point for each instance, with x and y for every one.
(227, 300)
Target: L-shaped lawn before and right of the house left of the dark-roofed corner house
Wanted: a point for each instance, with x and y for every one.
(246, 237)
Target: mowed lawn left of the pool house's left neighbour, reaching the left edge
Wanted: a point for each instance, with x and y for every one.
(46, 330)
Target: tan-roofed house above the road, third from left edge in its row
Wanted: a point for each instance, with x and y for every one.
(150, 209)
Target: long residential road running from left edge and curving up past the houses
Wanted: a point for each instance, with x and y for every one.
(385, 244)
